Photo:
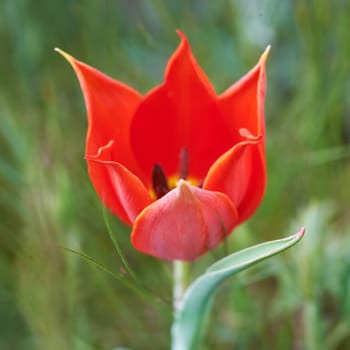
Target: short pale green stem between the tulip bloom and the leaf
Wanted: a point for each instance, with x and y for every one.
(180, 275)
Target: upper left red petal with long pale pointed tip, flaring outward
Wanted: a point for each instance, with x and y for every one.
(110, 106)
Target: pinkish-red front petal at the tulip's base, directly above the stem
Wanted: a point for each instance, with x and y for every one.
(184, 224)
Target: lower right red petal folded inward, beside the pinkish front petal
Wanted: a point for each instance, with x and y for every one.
(240, 173)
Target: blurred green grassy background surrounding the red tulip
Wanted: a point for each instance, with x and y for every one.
(53, 299)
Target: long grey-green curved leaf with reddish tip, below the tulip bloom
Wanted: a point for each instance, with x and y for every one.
(190, 321)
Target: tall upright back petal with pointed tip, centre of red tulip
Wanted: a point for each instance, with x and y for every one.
(182, 112)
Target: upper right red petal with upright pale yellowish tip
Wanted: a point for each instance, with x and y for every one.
(242, 104)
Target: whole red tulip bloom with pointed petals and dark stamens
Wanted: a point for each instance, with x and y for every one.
(181, 165)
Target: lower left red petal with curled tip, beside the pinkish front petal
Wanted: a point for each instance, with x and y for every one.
(118, 188)
